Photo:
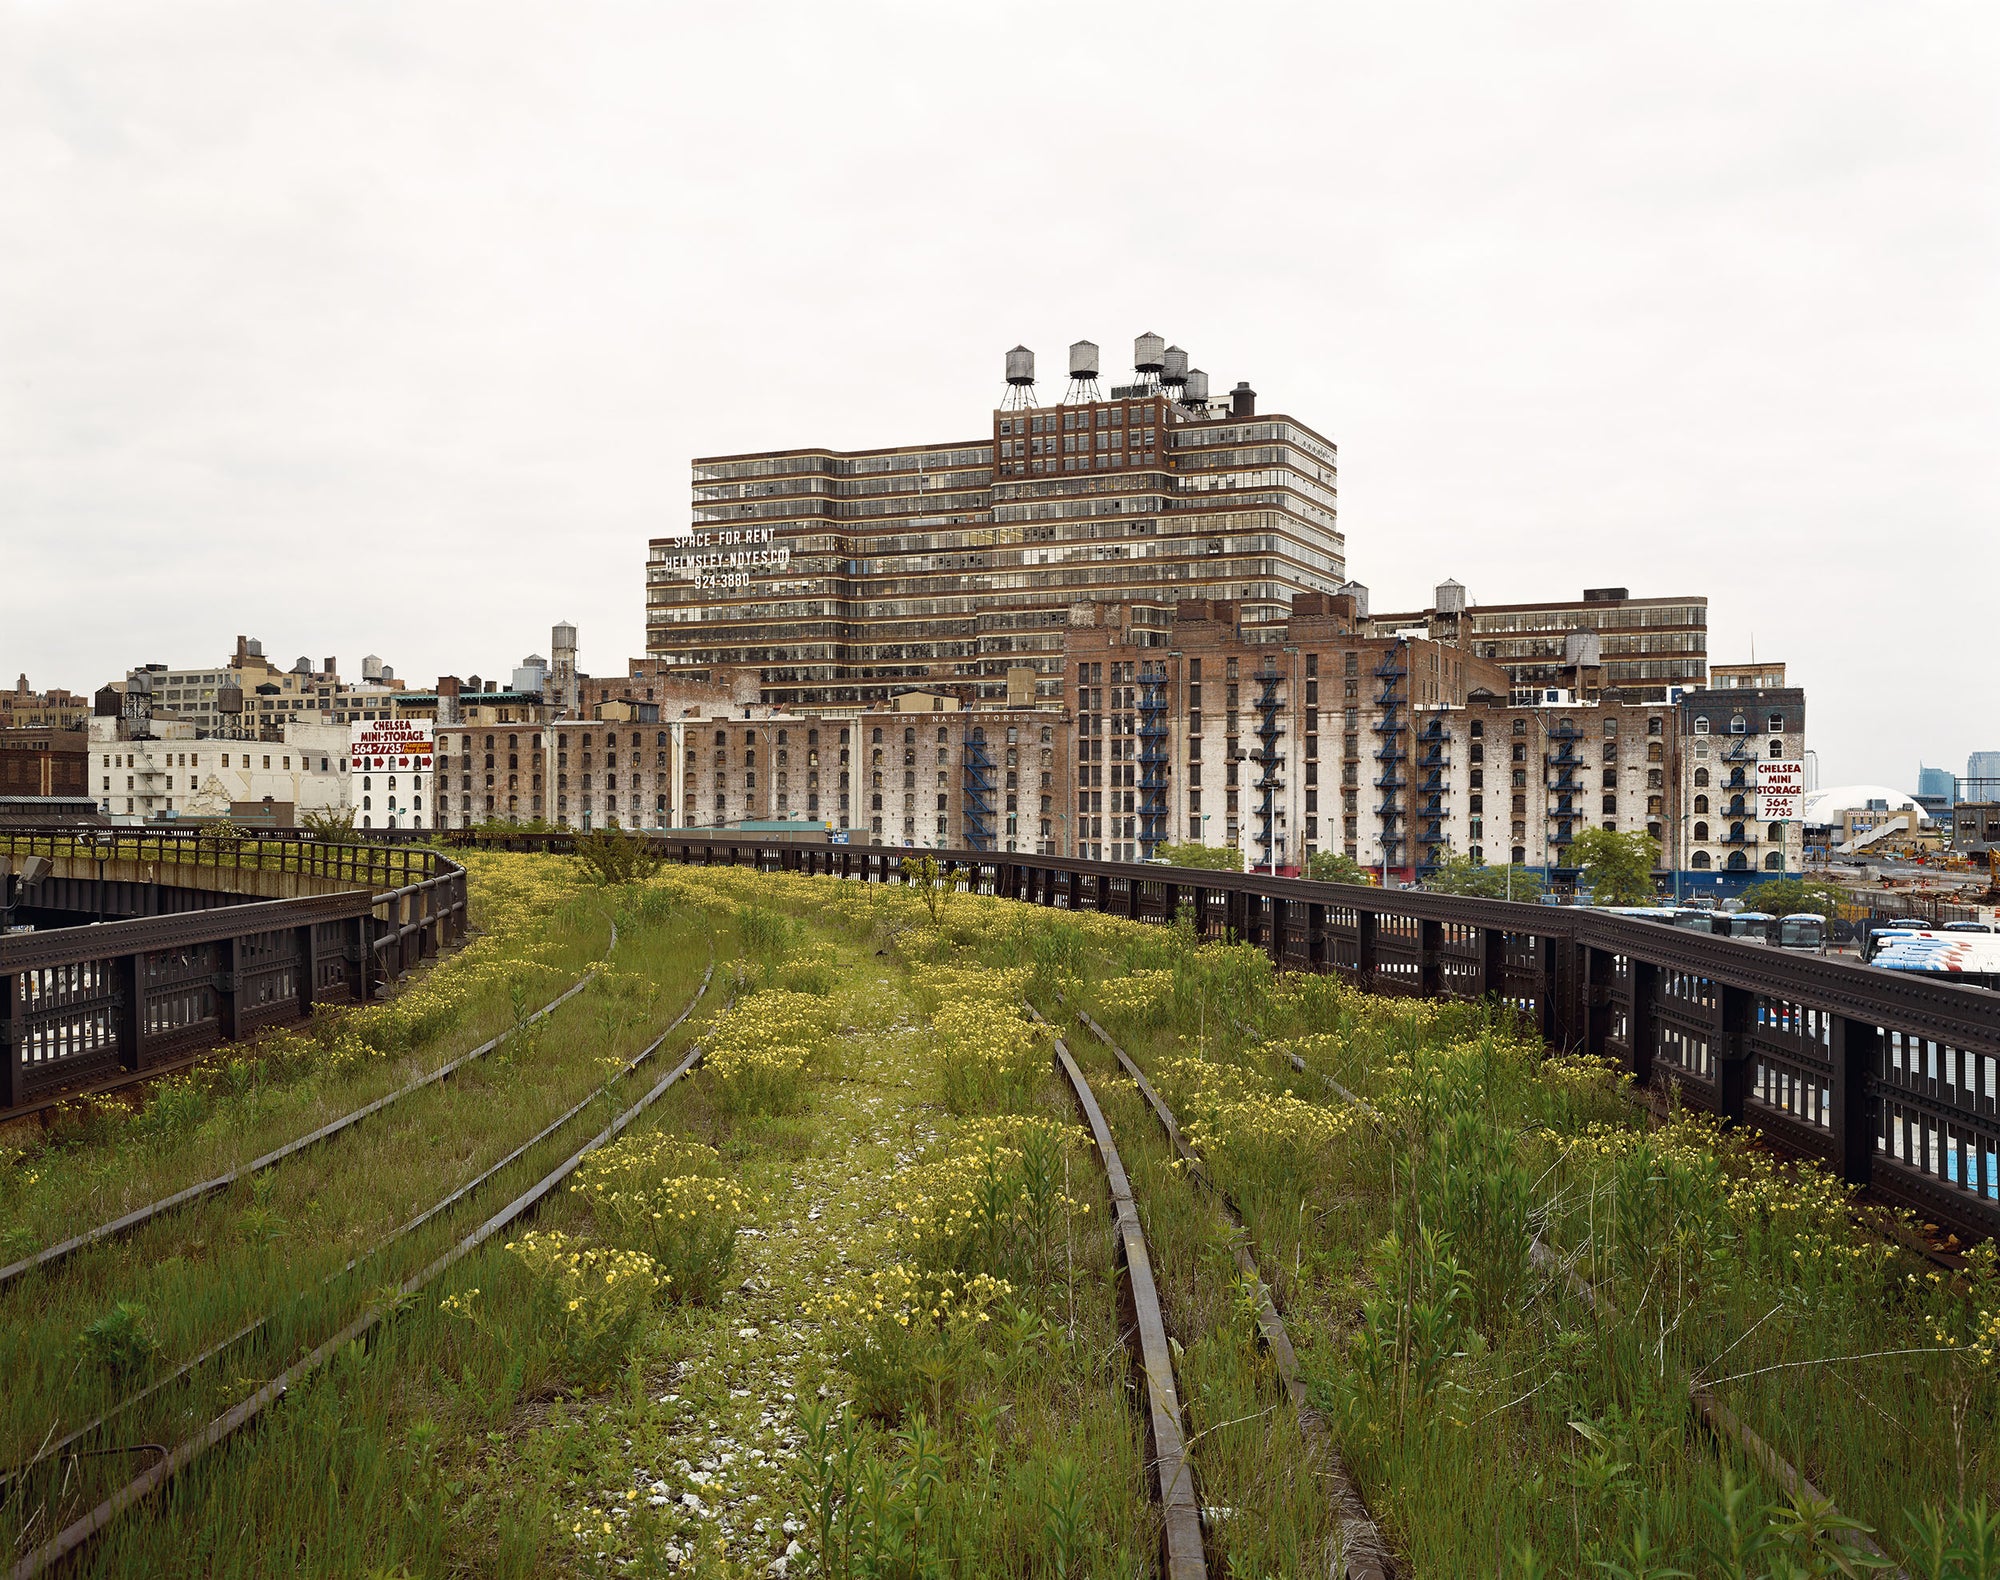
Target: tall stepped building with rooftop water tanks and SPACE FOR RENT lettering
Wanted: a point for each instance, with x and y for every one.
(847, 577)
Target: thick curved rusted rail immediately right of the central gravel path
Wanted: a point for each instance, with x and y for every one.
(1181, 1515)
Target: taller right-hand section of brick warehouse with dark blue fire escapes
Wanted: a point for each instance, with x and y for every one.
(1401, 751)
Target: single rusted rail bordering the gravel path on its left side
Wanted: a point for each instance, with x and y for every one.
(83, 1531)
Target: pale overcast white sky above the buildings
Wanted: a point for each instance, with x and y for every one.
(393, 327)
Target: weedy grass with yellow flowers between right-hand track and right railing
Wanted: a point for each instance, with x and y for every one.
(1527, 1413)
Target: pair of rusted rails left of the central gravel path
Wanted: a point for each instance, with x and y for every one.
(77, 1535)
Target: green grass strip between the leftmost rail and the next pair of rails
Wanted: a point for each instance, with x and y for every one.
(115, 1319)
